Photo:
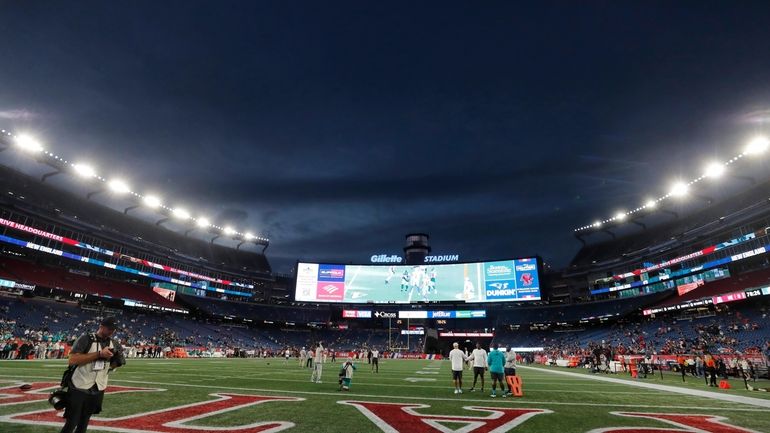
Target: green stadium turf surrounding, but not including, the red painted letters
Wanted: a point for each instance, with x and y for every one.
(579, 404)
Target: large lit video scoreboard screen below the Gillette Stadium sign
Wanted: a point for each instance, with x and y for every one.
(496, 281)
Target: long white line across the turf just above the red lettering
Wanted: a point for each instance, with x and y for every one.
(462, 400)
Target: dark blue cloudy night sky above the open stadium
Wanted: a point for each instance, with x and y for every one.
(338, 127)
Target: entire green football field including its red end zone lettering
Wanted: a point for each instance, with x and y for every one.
(553, 402)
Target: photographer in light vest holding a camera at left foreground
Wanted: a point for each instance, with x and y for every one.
(95, 356)
